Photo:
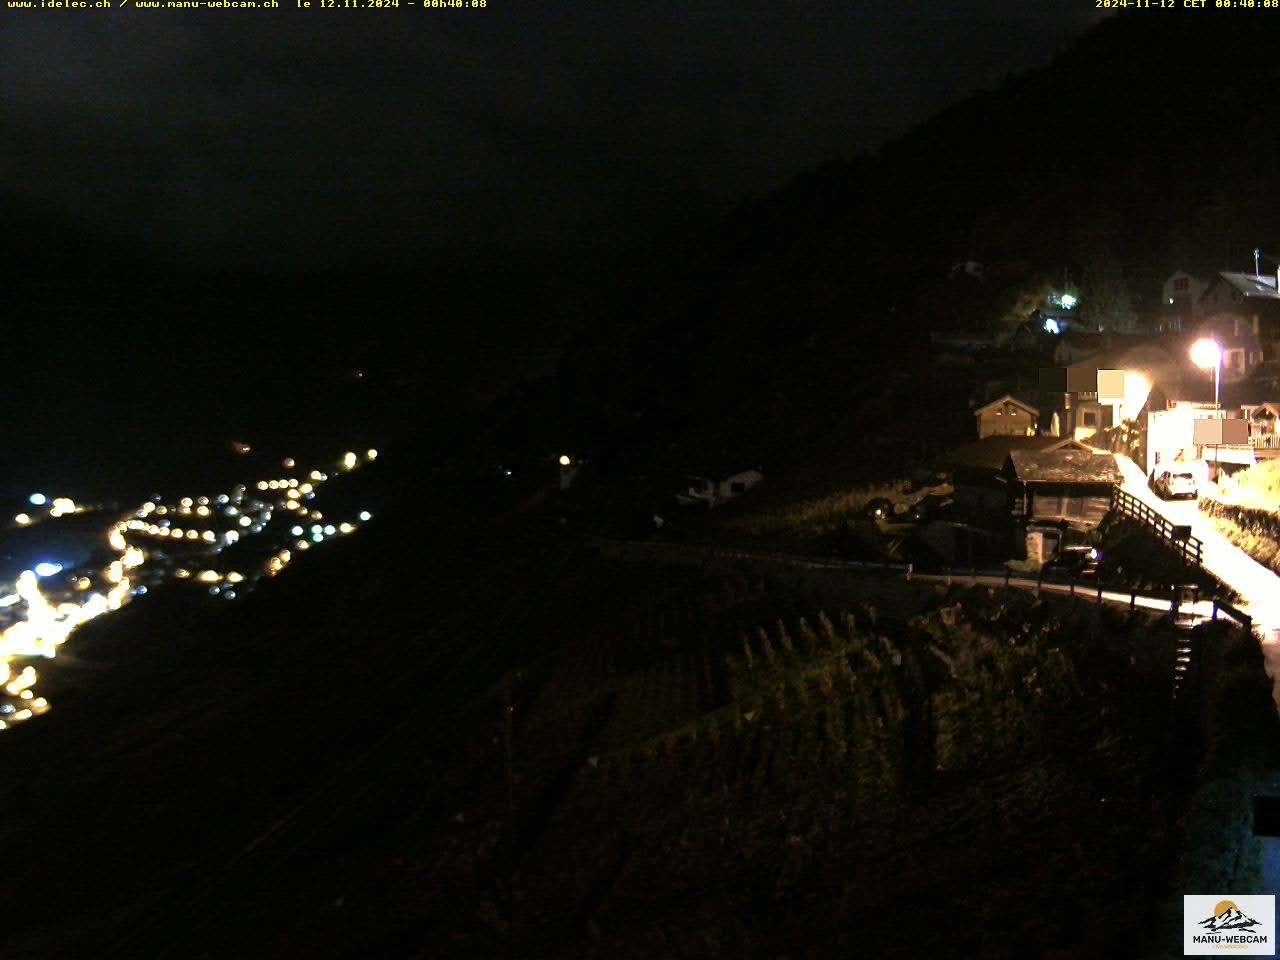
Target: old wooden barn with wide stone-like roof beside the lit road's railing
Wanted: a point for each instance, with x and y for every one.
(1072, 486)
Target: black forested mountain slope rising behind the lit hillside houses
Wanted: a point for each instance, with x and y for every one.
(1148, 144)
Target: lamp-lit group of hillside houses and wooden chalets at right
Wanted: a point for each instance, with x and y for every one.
(1055, 395)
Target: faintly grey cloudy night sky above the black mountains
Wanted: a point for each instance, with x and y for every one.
(561, 135)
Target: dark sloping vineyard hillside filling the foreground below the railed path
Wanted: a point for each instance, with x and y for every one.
(703, 762)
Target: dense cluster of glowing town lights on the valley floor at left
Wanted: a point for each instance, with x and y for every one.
(144, 543)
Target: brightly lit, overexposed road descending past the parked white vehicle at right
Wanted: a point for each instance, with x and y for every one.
(1258, 587)
